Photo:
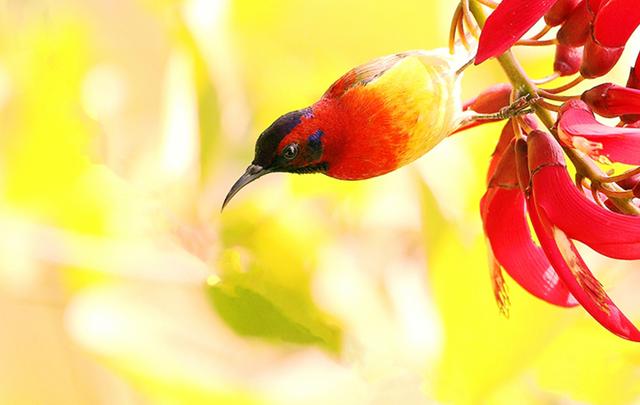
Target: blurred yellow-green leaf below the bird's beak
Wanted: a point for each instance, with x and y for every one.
(265, 279)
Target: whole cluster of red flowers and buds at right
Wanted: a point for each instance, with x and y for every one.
(529, 187)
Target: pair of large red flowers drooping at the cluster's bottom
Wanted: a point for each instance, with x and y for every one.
(559, 213)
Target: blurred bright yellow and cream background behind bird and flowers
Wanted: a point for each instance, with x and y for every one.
(122, 126)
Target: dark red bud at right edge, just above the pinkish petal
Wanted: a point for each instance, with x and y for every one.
(610, 100)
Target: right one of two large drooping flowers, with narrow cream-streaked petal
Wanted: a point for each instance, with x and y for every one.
(551, 191)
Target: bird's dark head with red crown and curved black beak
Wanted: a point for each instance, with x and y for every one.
(294, 143)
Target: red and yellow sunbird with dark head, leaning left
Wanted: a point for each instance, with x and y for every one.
(375, 119)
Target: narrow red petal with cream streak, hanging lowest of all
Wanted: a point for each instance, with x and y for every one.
(577, 277)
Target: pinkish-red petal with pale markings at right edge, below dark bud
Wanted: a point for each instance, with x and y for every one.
(579, 129)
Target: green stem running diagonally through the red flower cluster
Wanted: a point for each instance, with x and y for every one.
(523, 85)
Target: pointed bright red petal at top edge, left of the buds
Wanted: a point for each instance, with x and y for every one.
(507, 24)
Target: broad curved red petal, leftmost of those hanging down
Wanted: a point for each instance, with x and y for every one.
(508, 232)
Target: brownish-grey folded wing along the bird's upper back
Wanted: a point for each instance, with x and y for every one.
(363, 74)
